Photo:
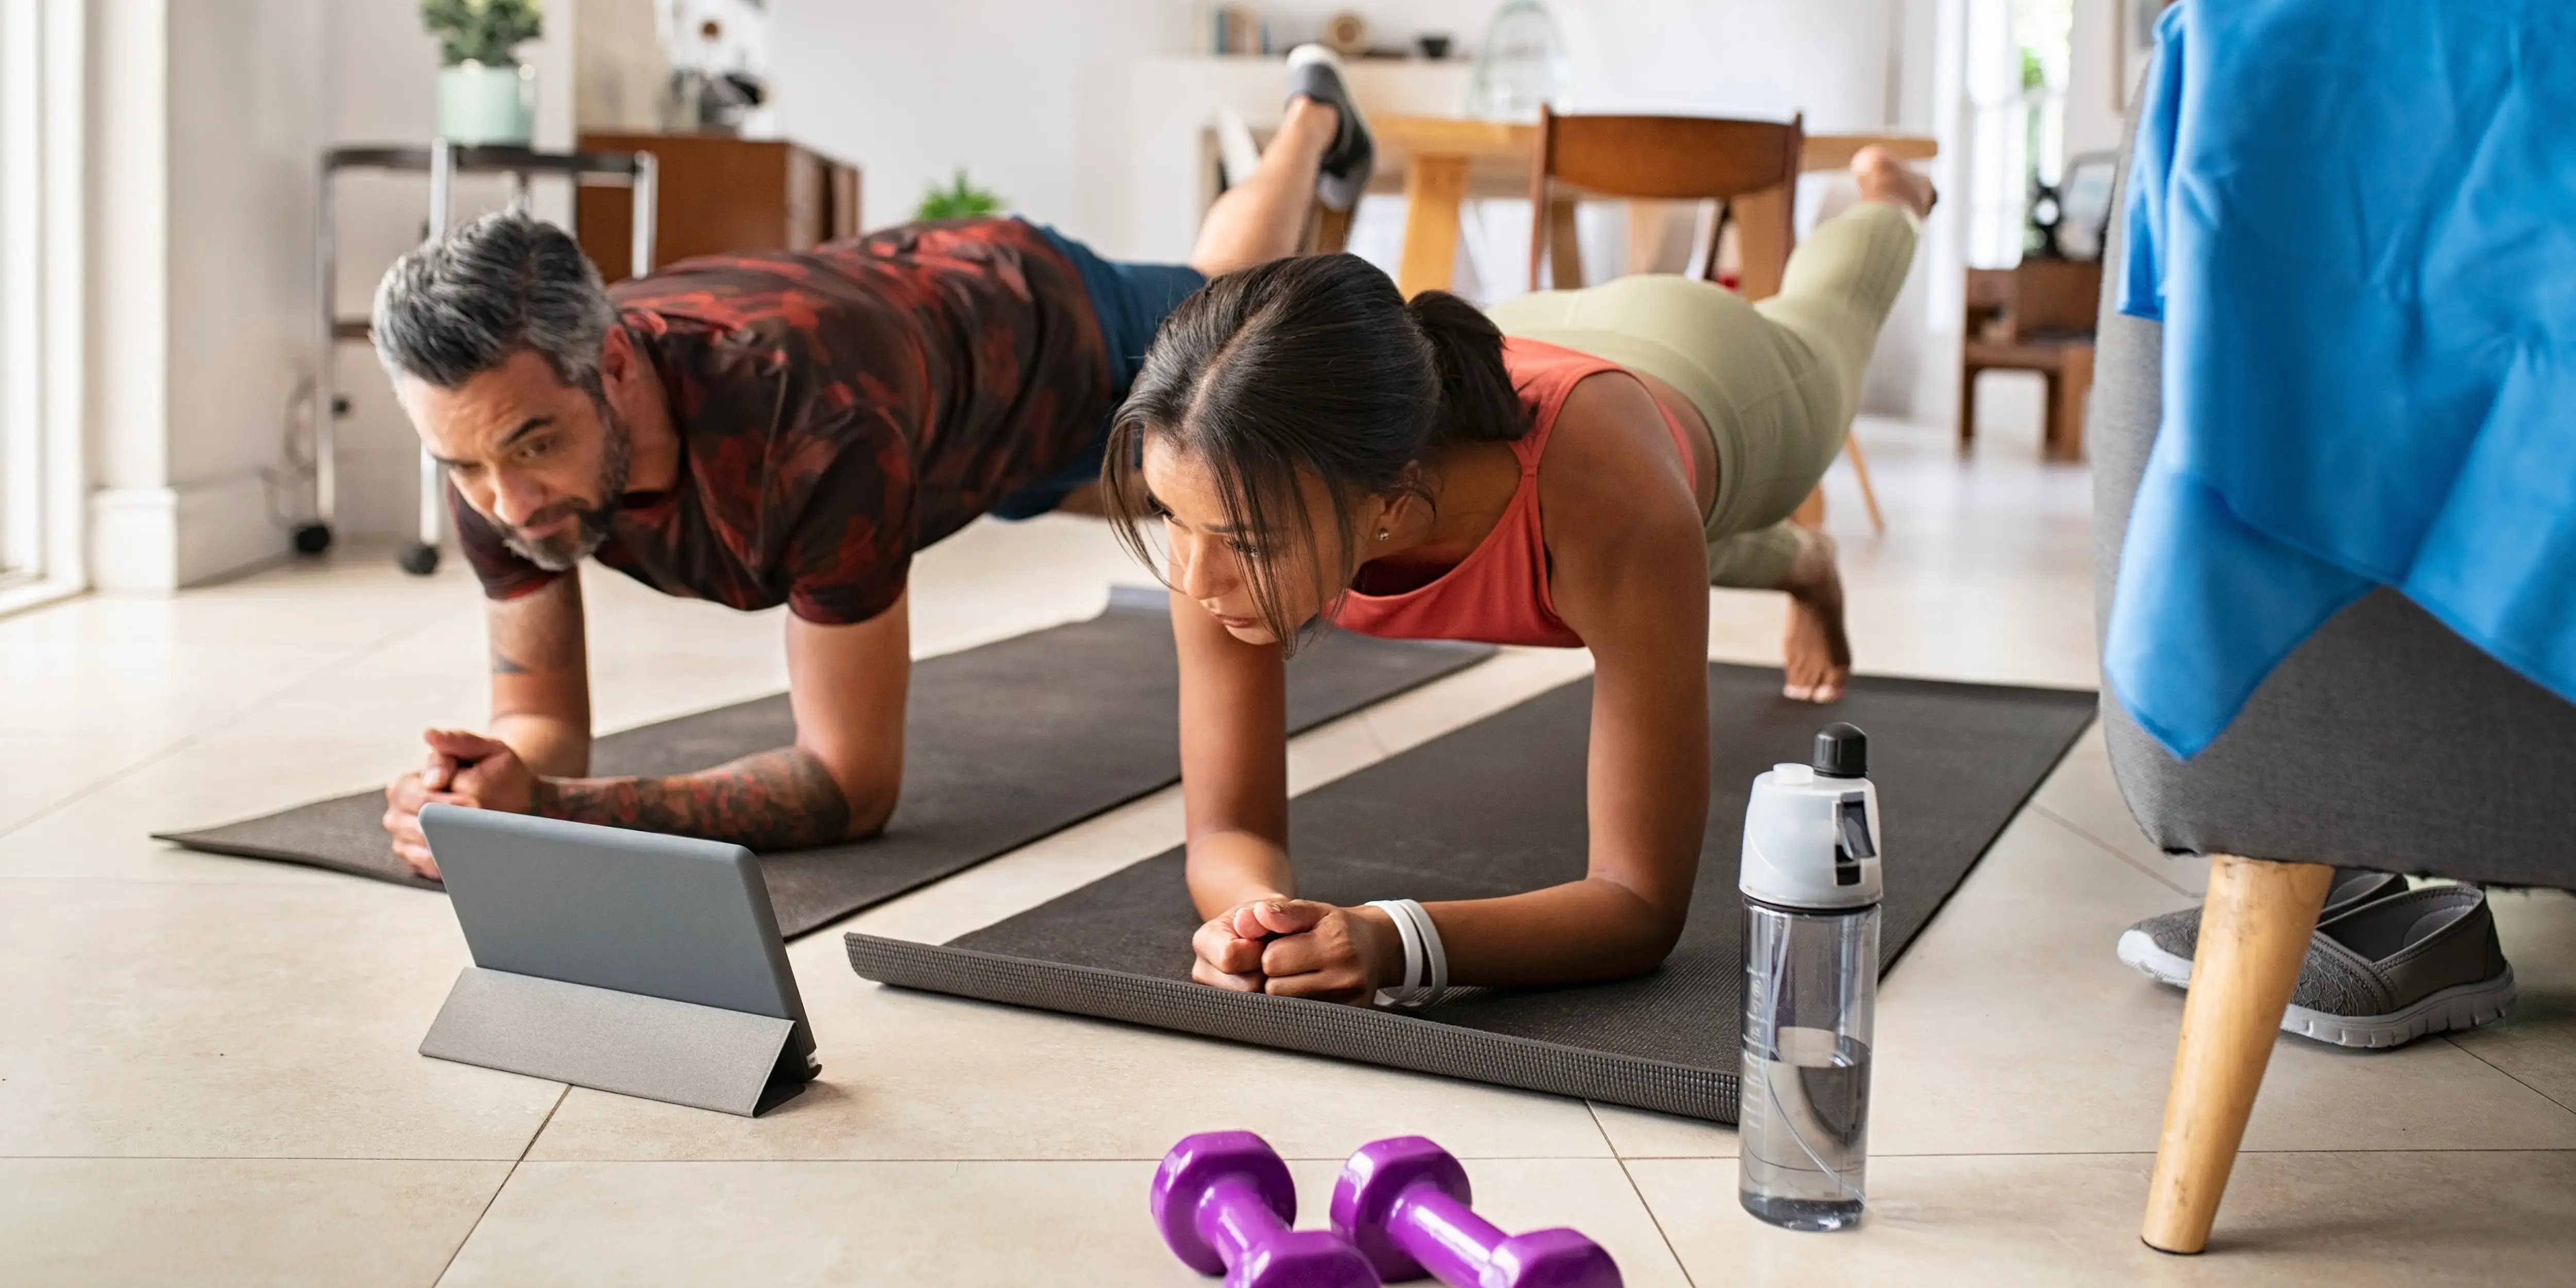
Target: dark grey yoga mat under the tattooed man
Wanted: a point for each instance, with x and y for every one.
(1003, 746)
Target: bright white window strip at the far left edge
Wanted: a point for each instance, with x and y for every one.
(40, 300)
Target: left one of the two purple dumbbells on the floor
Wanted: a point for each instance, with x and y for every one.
(1225, 1204)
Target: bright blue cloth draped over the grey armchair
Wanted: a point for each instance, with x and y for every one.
(2358, 228)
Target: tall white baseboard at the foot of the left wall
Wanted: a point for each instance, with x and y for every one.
(171, 537)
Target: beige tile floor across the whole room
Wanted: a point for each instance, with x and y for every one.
(207, 1065)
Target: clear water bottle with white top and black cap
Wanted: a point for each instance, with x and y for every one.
(1810, 983)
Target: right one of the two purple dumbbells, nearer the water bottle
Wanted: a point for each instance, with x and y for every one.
(1405, 1207)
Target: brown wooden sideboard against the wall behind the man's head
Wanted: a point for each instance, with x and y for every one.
(720, 194)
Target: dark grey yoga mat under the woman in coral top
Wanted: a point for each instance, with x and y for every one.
(1498, 808)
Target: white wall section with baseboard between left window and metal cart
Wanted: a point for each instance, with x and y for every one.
(205, 128)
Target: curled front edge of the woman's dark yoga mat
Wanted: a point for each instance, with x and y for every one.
(1294, 1024)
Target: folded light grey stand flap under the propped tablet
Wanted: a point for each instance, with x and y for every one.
(617, 1042)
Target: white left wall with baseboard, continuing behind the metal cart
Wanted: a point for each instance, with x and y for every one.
(207, 125)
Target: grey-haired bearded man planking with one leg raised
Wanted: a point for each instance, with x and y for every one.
(774, 429)
